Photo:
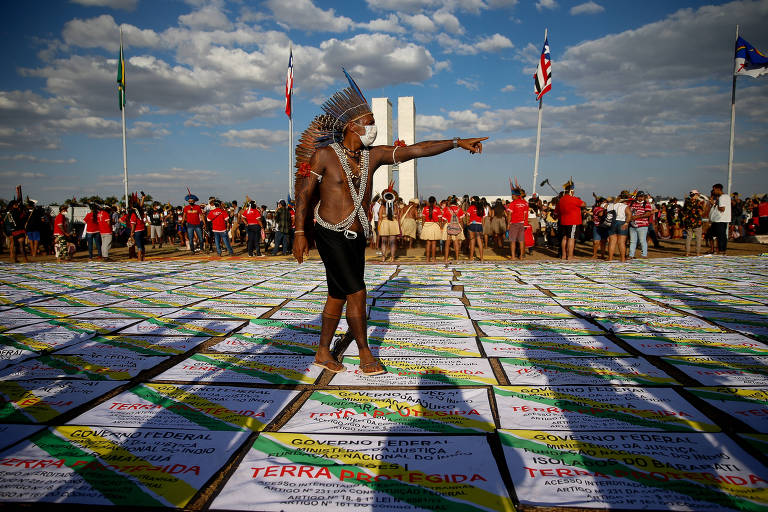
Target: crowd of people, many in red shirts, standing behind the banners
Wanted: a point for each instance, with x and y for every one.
(451, 226)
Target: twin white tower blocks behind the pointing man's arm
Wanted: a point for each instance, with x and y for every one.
(408, 183)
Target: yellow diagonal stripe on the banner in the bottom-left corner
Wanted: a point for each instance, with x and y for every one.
(176, 491)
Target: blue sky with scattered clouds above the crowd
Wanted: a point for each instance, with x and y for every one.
(640, 97)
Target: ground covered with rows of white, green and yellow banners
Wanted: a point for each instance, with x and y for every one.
(538, 386)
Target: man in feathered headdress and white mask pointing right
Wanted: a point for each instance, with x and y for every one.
(336, 164)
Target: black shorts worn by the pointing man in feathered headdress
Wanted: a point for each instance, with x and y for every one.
(344, 261)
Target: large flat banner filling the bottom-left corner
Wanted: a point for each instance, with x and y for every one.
(114, 466)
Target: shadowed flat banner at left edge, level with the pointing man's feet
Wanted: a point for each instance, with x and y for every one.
(86, 367)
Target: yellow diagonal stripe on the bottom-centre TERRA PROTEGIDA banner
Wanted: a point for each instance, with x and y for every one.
(470, 494)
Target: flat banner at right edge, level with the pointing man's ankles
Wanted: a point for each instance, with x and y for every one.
(694, 344)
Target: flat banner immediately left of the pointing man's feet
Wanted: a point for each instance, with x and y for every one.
(245, 368)
